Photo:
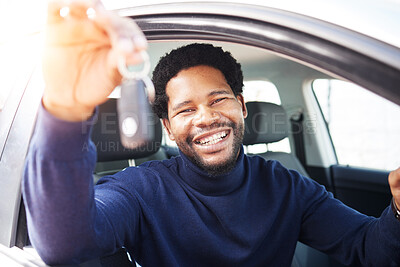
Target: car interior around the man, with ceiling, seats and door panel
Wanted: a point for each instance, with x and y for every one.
(284, 123)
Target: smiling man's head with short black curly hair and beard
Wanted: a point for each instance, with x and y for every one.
(204, 115)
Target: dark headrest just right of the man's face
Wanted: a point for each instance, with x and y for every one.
(265, 123)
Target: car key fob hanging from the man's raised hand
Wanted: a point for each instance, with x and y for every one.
(134, 115)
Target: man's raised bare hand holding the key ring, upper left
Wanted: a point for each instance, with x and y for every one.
(84, 43)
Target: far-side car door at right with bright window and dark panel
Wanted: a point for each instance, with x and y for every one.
(364, 130)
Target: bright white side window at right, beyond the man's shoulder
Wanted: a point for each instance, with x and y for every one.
(364, 127)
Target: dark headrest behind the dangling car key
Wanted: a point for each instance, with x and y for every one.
(105, 136)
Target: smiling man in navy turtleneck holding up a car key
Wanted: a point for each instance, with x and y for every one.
(212, 205)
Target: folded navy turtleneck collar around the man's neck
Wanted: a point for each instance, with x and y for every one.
(201, 181)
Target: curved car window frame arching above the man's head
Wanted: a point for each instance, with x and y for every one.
(297, 39)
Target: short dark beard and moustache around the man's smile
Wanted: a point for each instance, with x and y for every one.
(224, 166)
